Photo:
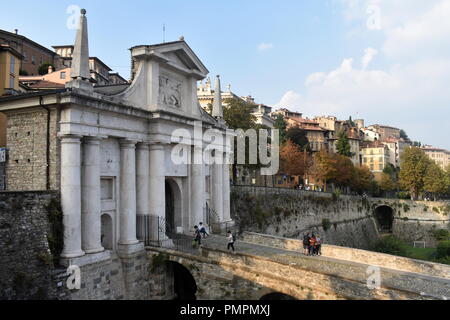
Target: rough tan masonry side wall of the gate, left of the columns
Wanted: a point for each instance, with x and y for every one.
(27, 150)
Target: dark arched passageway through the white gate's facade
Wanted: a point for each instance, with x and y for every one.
(173, 205)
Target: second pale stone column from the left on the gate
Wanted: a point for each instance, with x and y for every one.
(90, 196)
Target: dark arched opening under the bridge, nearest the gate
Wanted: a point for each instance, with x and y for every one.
(184, 283)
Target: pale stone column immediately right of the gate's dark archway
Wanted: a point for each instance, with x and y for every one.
(197, 186)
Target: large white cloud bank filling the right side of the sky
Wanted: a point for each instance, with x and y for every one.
(409, 91)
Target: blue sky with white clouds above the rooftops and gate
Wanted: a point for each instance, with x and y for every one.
(386, 61)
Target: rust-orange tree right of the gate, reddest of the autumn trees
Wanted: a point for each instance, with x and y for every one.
(294, 162)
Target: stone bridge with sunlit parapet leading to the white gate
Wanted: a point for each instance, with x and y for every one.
(267, 267)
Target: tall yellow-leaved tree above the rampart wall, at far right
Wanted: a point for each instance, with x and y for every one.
(414, 165)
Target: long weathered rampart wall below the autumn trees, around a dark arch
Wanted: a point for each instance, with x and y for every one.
(348, 221)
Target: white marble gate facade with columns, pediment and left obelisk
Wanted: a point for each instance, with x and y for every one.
(116, 152)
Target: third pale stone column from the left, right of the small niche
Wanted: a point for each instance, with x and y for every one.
(127, 193)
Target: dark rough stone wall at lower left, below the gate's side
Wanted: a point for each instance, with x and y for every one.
(26, 262)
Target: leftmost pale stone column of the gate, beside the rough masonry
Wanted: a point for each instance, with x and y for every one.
(71, 195)
